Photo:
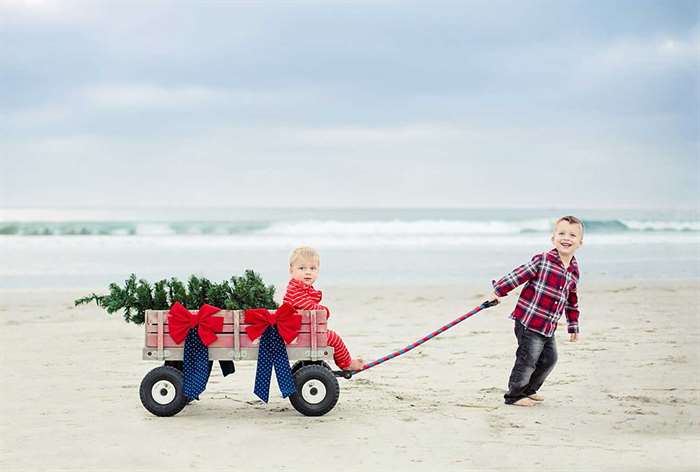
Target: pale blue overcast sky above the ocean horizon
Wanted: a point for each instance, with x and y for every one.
(357, 103)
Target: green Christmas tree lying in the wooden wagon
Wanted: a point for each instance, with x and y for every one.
(138, 295)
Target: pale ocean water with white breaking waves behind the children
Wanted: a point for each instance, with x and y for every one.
(89, 248)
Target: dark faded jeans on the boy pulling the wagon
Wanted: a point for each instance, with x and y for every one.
(534, 361)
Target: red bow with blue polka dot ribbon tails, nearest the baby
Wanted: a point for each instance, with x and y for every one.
(277, 329)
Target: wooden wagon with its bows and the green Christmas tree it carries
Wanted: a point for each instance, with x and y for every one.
(190, 326)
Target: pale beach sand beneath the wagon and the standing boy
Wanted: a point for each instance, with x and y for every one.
(625, 397)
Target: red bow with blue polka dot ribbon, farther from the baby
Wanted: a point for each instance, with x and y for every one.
(198, 331)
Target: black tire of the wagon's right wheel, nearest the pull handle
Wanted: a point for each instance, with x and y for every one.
(306, 376)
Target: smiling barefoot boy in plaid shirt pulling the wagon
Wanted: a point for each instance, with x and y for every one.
(550, 290)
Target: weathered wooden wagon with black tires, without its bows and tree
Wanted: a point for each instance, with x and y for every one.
(317, 386)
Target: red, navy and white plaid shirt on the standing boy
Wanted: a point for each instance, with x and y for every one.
(549, 292)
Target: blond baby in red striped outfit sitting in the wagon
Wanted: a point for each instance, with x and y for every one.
(304, 264)
